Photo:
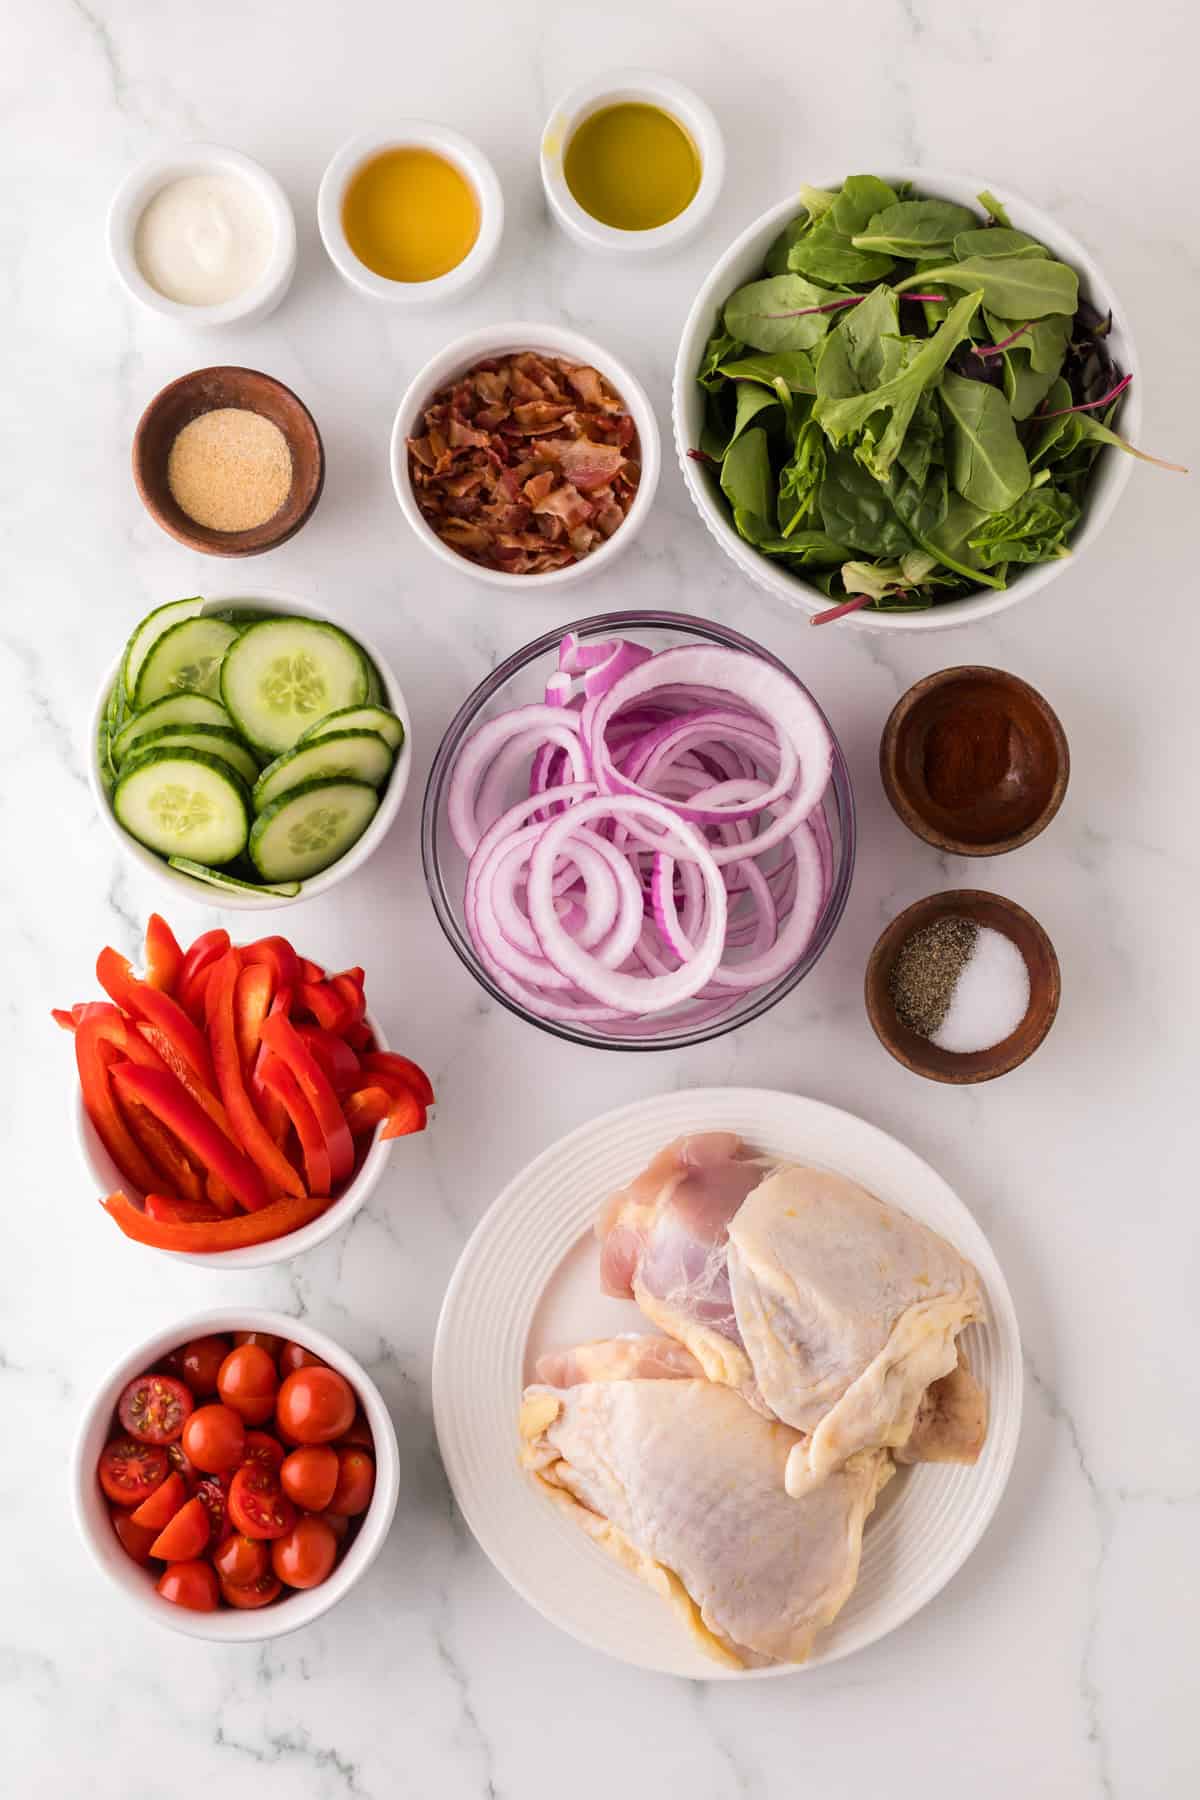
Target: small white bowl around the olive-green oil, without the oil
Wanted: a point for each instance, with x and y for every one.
(625, 87)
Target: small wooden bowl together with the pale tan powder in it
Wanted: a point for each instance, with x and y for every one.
(229, 462)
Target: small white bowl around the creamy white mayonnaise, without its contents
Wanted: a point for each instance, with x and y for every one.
(141, 186)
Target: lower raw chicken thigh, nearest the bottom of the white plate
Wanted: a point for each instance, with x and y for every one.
(683, 1484)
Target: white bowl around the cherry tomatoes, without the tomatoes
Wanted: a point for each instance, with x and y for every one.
(228, 1624)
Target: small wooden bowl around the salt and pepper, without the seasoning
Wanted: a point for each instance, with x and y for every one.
(917, 1052)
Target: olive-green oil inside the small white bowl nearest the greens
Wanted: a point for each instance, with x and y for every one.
(632, 166)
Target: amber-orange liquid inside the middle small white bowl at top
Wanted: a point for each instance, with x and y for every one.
(411, 215)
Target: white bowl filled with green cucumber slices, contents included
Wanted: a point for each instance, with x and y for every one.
(249, 750)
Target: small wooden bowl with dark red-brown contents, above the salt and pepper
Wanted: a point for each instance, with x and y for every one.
(1014, 762)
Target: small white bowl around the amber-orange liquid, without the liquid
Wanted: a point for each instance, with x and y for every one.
(470, 161)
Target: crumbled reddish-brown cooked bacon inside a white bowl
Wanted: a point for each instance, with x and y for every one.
(526, 463)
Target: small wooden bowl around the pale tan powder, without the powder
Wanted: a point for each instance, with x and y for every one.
(204, 391)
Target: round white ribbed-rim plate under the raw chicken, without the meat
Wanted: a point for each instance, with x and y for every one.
(530, 1281)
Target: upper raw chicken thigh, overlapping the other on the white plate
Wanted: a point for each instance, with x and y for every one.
(819, 1304)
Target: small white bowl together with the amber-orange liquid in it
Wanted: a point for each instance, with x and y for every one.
(411, 217)
